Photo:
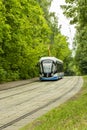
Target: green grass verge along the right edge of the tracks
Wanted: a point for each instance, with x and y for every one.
(71, 115)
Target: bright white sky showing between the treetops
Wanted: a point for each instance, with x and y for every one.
(66, 29)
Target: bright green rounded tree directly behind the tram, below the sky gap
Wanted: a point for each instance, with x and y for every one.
(61, 50)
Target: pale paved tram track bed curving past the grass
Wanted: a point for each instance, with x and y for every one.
(27, 102)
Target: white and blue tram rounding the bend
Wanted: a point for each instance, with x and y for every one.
(50, 68)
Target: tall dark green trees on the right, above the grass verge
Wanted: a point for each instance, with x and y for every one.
(77, 12)
